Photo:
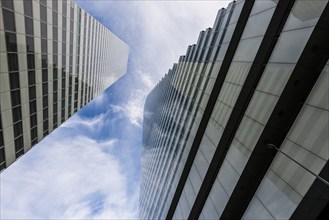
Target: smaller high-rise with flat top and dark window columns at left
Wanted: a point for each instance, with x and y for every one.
(55, 58)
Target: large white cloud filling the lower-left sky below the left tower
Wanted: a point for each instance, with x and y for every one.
(75, 177)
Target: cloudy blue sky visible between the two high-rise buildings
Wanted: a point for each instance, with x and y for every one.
(89, 167)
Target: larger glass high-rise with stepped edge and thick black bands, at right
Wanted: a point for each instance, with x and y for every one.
(239, 127)
